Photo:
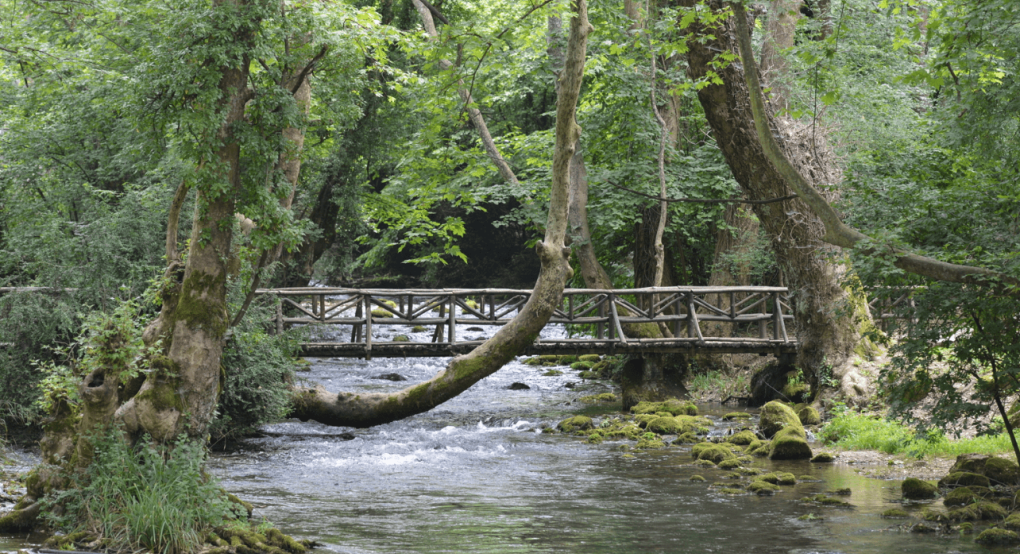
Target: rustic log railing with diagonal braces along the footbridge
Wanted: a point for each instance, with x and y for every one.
(681, 310)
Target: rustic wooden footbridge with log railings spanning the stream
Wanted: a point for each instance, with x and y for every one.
(757, 318)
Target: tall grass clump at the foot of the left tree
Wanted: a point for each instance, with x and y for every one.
(152, 497)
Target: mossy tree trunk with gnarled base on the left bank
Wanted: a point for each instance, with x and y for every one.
(179, 396)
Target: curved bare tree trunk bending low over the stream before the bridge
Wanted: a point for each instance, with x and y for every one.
(463, 372)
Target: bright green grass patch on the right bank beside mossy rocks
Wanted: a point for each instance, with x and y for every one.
(858, 432)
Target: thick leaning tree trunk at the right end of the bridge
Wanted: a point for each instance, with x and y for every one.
(827, 333)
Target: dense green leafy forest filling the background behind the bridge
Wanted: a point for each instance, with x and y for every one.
(394, 184)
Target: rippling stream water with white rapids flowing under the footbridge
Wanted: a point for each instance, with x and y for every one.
(477, 475)
